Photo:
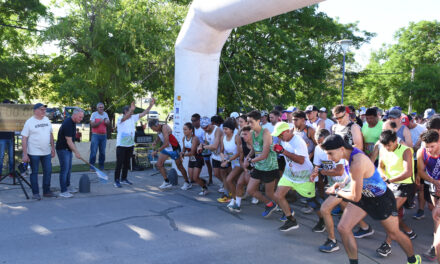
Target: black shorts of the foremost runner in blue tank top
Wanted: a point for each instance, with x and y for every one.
(379, 208)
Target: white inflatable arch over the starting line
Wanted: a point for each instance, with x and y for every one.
(199, 44)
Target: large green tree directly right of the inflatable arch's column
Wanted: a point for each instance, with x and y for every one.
(285, 60)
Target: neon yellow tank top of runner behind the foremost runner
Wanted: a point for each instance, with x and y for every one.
(394, 163)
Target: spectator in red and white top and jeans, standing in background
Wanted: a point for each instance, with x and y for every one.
(98, 122)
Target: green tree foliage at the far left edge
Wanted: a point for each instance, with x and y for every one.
(17, 27)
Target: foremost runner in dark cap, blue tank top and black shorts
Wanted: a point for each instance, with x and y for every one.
(368, 195)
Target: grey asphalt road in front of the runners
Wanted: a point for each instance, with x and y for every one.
(141, 224)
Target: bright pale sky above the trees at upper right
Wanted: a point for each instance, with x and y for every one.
(383, 17)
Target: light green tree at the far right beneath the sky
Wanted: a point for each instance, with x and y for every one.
(418, 47)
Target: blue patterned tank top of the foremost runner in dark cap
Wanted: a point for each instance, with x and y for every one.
(373, 186)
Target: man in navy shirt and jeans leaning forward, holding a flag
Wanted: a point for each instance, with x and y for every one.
(64, 147)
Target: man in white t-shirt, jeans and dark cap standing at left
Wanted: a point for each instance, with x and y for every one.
(38, 146)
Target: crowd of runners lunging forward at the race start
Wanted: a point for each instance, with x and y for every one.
(372, 163)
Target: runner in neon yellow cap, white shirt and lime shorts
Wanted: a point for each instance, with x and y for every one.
(296, 175)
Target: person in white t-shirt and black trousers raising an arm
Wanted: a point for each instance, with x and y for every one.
(125, 141)
